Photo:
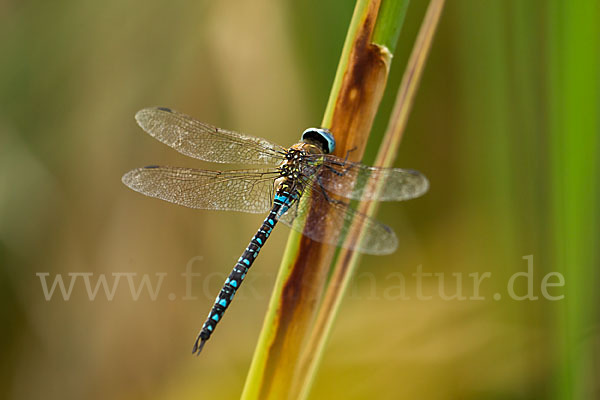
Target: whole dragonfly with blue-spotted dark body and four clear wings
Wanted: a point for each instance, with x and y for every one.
(289, 184)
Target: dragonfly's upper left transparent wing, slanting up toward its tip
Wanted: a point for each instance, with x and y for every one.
(206, 142)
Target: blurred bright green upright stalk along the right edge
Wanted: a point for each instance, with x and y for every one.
(574, 121)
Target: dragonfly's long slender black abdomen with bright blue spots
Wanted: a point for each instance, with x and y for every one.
(282, 199)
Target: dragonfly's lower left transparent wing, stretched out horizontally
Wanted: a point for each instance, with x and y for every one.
(244, 190)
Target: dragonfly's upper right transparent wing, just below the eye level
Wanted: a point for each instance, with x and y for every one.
(355, 181)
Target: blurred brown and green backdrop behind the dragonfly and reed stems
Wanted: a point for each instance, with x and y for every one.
(505, 125)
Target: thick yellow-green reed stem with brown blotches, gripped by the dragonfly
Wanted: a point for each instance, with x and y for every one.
(355, 96)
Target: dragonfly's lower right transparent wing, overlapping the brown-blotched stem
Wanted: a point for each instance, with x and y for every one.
(330, 224)
